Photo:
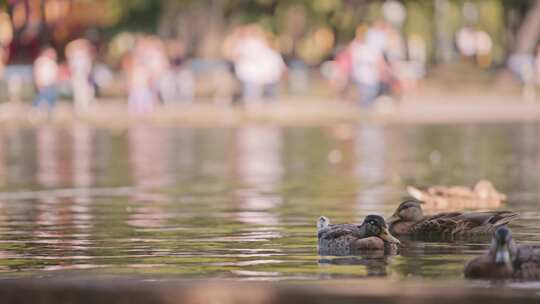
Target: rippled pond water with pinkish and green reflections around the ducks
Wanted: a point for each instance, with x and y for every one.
(242, 202)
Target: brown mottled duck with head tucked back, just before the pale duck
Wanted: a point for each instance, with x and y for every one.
(409, 219)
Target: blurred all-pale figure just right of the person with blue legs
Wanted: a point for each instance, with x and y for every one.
(80, 55)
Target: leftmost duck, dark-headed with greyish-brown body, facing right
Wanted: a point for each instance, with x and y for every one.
(347, 239)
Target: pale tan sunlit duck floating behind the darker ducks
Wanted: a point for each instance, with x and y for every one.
(482, 195)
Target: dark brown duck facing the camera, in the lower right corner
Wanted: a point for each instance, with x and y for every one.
(505, 259)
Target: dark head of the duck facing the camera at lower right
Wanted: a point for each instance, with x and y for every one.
(503, 249)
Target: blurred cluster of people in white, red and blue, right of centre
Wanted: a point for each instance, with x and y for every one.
(376, 62)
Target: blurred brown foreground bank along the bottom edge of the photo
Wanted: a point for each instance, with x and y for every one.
(107, 290)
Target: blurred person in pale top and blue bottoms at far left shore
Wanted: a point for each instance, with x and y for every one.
(46, 78)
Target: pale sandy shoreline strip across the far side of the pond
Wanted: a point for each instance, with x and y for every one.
(289, 112)
